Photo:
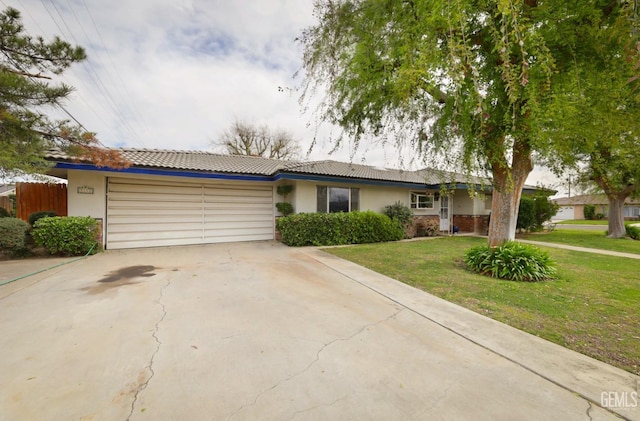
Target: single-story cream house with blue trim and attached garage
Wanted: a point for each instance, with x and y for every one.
(181, 197)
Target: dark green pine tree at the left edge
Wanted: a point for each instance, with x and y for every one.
(27, 68)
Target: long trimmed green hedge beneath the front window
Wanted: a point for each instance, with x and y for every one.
(328, 229)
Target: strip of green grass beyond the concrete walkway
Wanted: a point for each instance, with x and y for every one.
(589, 239)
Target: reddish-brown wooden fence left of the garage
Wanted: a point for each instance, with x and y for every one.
(36, 197)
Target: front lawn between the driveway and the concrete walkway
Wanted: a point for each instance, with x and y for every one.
(592, 308)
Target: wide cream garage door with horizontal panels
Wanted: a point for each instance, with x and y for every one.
(143, 213)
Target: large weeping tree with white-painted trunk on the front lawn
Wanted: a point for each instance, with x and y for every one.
(464, 77)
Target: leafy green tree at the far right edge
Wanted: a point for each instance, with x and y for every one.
(599, 105)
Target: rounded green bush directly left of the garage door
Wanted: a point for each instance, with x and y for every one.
(68, 235)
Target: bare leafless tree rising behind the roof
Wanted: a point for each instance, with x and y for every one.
(242, 138)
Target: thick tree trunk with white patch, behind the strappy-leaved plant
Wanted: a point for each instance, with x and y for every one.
(507, 190)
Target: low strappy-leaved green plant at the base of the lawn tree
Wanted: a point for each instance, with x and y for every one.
(512, 261)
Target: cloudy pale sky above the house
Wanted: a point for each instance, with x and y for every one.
(174, 74)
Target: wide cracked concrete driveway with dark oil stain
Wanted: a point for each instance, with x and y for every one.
(259, 331)
